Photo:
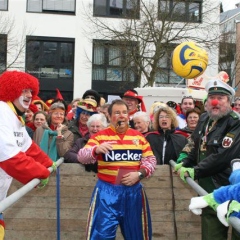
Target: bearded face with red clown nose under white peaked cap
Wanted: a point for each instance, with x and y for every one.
(220, 109)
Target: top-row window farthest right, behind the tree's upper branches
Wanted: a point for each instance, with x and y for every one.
(181, 10)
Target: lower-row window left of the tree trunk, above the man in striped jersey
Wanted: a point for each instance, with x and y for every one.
(112, 61)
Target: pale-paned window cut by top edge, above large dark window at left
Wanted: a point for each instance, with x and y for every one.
(57, 6)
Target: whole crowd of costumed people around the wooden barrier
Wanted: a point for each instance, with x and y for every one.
(122, 142)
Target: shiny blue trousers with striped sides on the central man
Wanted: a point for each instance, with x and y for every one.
(113, 205)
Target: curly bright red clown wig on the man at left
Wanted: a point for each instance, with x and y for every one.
(13, 82)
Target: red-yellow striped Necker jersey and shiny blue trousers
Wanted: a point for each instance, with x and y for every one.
(113, 204)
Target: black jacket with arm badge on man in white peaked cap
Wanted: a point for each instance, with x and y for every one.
(222, 146)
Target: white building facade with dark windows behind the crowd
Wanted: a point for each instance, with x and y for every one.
(64, 44)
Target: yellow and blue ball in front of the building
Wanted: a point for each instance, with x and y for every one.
(189, 60)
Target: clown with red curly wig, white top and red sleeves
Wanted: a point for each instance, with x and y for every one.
(20, 157)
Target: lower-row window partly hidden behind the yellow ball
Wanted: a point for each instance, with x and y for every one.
(165, 74)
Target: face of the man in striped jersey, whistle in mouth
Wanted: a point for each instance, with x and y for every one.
(119, 114)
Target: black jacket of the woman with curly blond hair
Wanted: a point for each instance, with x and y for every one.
(174, 144)
